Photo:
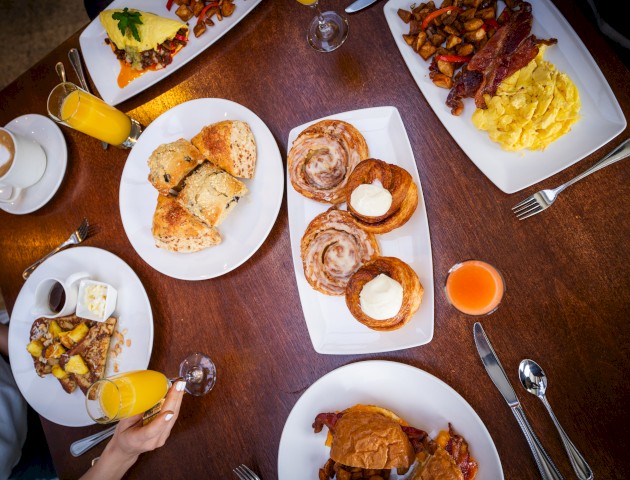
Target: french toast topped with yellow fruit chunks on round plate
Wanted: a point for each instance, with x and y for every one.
(73, 349)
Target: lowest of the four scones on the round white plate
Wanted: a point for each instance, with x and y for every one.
(176, 230)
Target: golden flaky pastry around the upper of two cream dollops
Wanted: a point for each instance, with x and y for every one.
(394, 179)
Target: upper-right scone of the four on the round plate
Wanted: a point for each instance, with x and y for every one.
(229, 144)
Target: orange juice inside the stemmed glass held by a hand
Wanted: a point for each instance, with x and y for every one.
(131, 393)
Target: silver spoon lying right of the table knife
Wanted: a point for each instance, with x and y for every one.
(534, 381)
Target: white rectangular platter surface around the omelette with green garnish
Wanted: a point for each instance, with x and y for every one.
(104, 67)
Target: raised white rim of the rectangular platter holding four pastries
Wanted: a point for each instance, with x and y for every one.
(386, 111)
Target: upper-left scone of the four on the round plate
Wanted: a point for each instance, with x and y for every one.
(171, 162)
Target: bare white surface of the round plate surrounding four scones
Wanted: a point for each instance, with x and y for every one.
(245, 229)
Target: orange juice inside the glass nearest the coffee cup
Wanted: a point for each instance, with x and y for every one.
(92, 116)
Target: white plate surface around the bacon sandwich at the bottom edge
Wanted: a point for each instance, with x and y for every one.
(417, 396)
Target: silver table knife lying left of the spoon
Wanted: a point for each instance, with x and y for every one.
(545, 465)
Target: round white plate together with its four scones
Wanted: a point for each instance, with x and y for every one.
(192, 218)
